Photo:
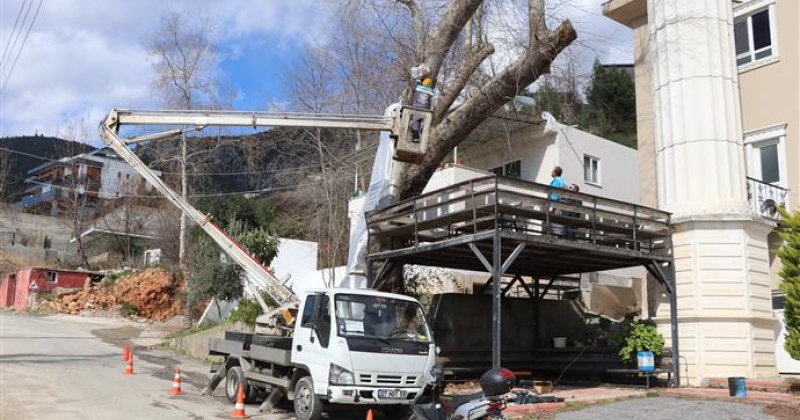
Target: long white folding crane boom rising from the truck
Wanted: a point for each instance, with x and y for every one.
(110, 126)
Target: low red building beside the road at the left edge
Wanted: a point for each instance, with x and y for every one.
(18, 288)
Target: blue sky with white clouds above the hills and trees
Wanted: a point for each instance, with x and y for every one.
(84, 57)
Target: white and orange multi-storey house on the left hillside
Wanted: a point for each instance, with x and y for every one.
(86, 181)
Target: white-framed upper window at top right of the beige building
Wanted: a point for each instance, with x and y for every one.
(754, 33)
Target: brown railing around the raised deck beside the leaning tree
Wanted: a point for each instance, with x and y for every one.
(513, 205)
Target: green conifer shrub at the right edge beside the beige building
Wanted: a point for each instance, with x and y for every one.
(789, 254)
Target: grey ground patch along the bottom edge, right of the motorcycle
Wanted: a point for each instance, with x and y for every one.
(664, 408)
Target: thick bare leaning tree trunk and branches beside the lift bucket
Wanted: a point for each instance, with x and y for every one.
(451, 125)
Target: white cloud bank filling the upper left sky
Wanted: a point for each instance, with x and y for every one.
(84, 57)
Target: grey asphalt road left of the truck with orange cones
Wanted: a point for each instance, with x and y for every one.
(59, 367)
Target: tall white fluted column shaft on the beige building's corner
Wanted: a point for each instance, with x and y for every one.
(700, 161)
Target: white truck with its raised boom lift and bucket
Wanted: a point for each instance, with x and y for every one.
(338, 346)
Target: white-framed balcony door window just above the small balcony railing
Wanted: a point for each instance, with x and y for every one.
(766, 155)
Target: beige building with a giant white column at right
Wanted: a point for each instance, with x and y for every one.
(755, 46)
